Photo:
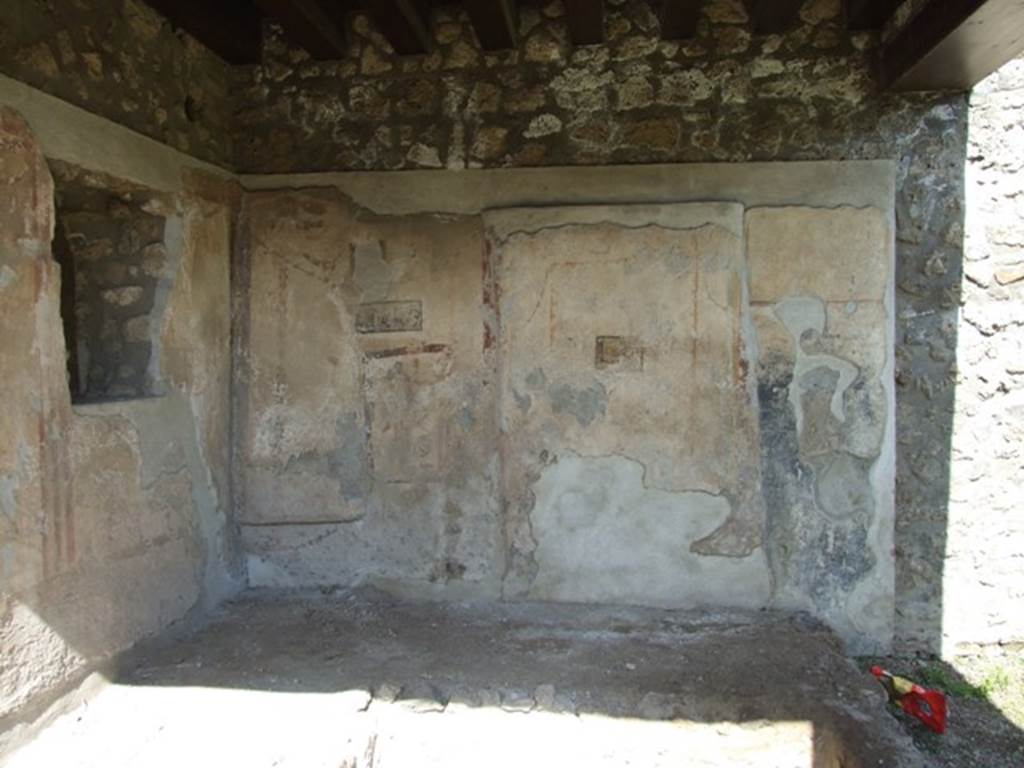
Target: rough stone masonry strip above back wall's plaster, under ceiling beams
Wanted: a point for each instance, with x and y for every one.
(723, 96)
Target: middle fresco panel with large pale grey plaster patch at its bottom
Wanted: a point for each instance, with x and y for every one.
(630, 431)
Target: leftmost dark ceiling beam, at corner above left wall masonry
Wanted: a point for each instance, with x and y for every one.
(232, 29)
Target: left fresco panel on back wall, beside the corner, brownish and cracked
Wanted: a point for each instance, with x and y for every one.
(368, 448)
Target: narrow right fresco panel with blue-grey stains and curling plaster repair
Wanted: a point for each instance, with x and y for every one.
(821, 280)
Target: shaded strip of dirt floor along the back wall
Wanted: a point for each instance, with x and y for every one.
(756, 669)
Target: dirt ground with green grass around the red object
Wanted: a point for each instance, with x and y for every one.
(986, 697)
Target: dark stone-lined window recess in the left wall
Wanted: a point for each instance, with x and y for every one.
(112, 252)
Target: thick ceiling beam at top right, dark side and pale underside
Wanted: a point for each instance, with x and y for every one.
(953, 46)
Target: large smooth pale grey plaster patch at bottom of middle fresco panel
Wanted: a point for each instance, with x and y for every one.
(604, 537)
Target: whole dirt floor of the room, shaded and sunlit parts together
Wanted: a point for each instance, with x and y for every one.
(359, 679)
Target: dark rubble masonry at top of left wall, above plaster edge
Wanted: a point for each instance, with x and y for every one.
(122, 60)
